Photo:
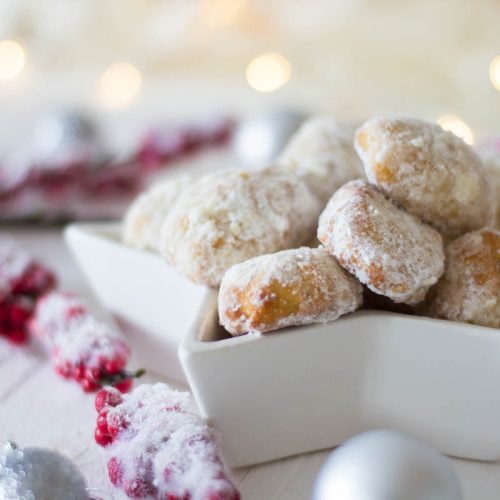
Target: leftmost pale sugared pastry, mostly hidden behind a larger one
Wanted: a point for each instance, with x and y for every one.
(145, 216)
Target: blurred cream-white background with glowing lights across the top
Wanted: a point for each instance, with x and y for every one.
(353, 58)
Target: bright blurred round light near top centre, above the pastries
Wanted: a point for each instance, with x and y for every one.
(268, 72)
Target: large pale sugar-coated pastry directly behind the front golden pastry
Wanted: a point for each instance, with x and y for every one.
(229, 217)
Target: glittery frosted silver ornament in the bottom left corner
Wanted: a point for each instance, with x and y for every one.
(39, 474)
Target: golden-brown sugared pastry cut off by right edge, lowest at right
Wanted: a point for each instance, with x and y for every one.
(469, 290)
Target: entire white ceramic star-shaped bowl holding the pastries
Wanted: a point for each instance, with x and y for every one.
(304, 388)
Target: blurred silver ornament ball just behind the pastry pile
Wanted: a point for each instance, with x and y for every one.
(258, 141)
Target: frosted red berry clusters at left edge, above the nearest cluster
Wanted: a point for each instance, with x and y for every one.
(82, 348)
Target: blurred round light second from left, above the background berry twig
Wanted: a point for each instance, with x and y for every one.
(119, 84)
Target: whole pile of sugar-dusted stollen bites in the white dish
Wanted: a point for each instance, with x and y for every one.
(404, 212)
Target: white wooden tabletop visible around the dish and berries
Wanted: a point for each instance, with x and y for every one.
(38, 408)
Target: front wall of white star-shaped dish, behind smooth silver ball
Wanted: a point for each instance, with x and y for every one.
(307, 388)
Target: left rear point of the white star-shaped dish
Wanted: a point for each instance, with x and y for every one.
(155, 305)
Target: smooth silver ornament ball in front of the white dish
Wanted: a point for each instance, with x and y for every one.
(386, 465)
